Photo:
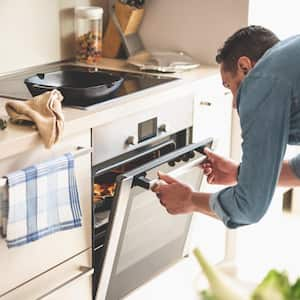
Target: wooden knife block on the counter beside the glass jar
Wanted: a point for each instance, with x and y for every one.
(129, 19)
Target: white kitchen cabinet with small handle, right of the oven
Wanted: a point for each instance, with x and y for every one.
(212, 118)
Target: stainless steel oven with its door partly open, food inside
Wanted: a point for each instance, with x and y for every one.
(134, 237)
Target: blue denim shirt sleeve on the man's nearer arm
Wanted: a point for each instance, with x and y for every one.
(264, 110)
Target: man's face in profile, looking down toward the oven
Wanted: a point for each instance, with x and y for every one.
(232, 81)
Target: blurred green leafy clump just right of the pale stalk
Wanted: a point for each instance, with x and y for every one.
(275, 286)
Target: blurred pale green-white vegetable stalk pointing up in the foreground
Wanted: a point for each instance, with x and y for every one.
(222, 286)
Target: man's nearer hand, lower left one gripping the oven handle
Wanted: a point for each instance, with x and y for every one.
(175, 196)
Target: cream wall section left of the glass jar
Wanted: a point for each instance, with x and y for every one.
(36, 31)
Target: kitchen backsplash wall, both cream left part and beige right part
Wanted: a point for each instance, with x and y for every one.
(41, 31)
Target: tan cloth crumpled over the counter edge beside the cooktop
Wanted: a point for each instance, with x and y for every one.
(45, 111)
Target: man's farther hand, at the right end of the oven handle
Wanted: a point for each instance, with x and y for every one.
(218, 169)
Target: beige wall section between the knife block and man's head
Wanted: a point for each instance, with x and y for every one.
(198, 27)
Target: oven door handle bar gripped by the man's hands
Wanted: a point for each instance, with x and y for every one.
(148, 184)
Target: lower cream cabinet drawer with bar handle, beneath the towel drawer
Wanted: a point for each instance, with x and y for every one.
(70, 280)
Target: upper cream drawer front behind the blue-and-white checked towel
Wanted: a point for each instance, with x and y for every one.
(32, 259)
